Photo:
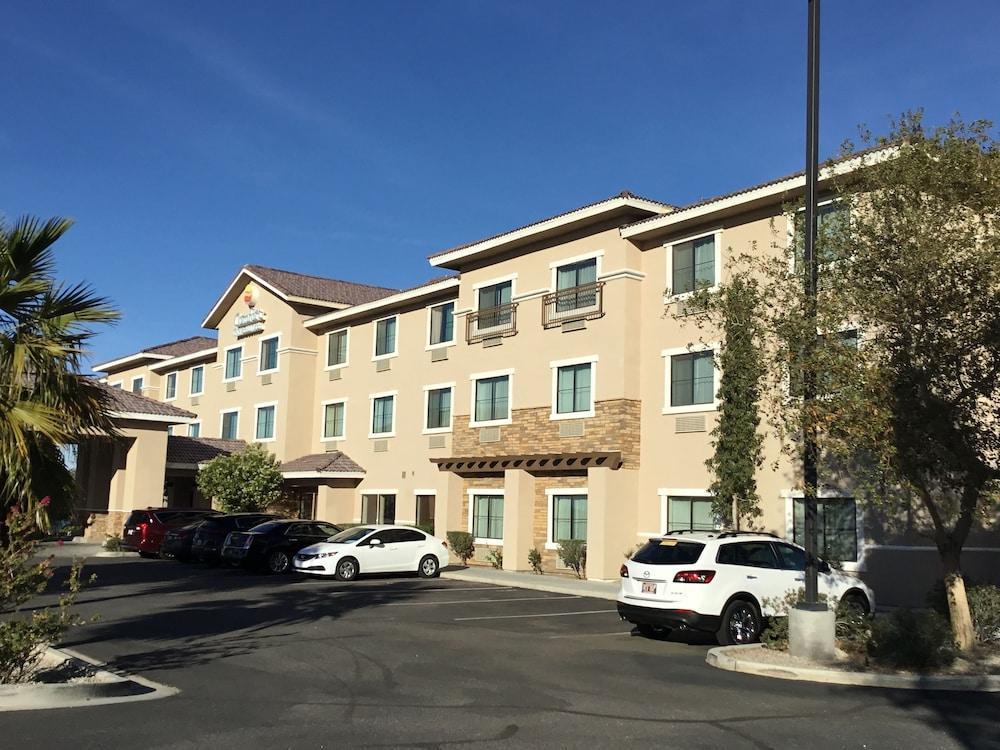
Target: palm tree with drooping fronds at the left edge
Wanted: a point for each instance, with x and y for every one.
(44, 401)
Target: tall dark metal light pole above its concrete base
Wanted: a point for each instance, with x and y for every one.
(810, 450)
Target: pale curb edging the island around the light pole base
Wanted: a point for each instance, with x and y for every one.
(723, 658)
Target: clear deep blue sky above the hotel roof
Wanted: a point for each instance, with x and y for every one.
(353, 139)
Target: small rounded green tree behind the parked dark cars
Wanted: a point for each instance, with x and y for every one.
(240, 482)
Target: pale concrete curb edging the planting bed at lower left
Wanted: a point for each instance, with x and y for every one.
(117, 688)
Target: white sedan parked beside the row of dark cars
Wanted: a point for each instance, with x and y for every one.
(371, 548)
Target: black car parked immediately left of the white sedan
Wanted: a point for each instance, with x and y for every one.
(272, 545)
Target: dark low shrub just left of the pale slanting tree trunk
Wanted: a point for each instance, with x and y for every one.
(912, 640)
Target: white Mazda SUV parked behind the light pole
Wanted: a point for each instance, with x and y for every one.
(722, 582)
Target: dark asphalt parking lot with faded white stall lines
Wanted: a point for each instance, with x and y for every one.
(264, 661)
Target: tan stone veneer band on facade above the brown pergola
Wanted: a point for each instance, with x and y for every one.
(615, 427)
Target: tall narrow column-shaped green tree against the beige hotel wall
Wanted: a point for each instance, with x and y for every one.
(735, 310)
